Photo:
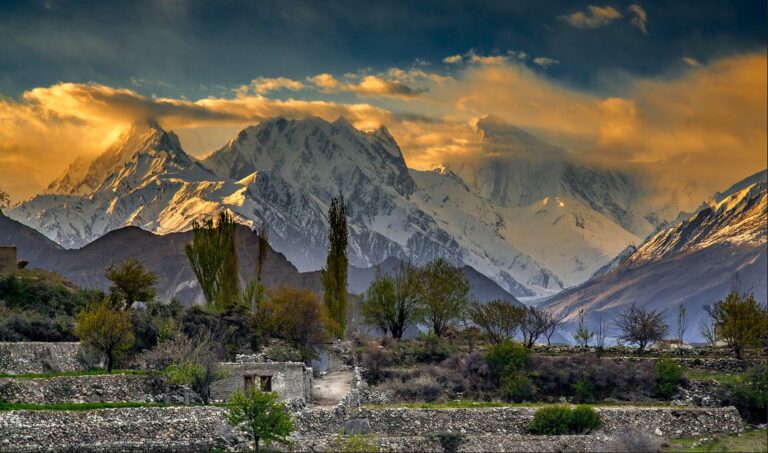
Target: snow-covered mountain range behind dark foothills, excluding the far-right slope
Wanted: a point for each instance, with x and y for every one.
(530, 218)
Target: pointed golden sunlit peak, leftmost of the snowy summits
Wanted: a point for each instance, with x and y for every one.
(141, 152)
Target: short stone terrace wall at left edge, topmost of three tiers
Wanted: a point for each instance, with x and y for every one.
(33, 357)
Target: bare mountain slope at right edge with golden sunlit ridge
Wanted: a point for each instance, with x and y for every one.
(691, 263)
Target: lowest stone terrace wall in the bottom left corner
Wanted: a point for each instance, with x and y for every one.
(107, 430)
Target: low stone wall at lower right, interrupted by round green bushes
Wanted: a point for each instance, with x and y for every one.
(670, 422)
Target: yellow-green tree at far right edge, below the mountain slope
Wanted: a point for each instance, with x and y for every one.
(740, 321)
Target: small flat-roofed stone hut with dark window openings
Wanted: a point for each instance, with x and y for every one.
(291, 380)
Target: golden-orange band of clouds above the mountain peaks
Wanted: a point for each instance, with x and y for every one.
(713, 114)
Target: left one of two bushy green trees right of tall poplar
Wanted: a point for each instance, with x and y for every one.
(392, 301)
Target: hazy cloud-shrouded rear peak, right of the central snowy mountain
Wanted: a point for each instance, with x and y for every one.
(520, 170)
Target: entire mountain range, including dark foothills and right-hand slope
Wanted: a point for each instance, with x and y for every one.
(526, 220)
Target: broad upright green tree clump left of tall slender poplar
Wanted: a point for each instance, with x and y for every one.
(213, 257)
